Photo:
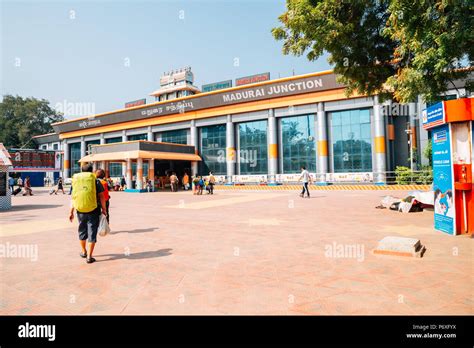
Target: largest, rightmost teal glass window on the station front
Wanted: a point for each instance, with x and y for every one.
(351, 141)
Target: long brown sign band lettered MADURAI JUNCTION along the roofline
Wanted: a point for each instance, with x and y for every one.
(199, 102)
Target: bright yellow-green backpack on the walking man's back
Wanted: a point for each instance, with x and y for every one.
(84, 195)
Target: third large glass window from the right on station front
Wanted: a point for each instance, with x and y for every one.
(253, 147)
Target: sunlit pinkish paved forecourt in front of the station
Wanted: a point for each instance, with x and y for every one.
(232, 253)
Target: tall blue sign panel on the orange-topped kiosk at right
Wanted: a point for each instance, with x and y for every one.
(444, 211)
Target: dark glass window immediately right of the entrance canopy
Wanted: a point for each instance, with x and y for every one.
(213, 147)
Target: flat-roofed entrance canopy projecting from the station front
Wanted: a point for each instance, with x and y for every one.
(140, 149)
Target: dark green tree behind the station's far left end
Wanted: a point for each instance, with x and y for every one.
(23, 118)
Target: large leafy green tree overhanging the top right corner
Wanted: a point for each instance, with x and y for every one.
(396, 48)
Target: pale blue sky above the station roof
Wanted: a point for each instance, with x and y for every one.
(77, 52)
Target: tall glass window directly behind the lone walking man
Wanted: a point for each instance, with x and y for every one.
(298, 143)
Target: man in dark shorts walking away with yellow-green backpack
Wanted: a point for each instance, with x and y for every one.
(89, 202)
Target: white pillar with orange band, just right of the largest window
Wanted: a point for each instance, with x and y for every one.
(379, 166)
